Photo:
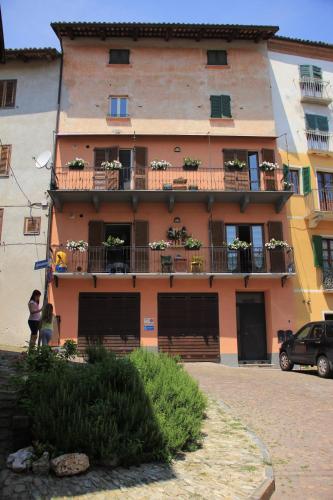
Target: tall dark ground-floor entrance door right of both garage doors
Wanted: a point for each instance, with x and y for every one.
(251, 327)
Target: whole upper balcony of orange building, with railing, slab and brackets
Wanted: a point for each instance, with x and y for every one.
(206, 184)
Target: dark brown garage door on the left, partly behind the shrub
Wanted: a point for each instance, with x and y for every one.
(112, 319)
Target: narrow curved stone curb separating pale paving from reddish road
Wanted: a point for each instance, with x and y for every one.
(266, 489)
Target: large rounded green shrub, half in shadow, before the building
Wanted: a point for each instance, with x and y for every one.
(124, 410)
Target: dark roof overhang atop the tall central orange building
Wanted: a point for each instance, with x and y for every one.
(166, 31)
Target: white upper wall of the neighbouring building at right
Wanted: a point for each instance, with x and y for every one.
(289, 111)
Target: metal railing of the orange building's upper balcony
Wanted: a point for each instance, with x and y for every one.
(172, 179)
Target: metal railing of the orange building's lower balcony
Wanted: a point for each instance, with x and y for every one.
(123, 260)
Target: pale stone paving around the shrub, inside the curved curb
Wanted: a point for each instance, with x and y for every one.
(228, 466)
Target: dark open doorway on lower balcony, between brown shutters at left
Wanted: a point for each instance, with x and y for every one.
(118, 258)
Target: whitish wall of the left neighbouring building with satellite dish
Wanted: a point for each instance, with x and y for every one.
(29, 128)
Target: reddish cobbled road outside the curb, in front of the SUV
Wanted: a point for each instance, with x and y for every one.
(292, 412)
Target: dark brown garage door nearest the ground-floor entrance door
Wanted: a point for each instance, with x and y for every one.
(188, 325)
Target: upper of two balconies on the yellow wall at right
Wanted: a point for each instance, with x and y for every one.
(319, 206)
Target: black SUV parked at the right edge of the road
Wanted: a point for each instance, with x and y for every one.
(311, 345)
